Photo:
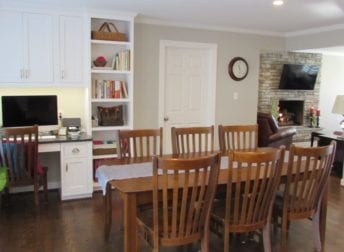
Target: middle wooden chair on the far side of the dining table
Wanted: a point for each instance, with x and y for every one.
(192, 139)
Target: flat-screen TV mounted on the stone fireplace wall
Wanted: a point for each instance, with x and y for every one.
(300, 77)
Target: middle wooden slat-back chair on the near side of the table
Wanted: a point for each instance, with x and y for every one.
(249, 200)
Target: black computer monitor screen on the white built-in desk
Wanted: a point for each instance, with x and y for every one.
(29, 110)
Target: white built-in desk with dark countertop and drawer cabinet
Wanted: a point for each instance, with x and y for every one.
(75, 164)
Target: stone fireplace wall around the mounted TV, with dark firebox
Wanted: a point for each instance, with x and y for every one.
(293, 104)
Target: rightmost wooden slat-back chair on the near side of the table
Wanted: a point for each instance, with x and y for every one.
(308, 172)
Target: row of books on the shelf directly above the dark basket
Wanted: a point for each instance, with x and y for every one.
(108, 89)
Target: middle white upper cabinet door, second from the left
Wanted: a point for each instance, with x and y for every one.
(38, 48)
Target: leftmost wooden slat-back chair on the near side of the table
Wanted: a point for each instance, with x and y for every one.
(183, 193)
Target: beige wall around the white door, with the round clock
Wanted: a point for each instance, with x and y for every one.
(228, 110)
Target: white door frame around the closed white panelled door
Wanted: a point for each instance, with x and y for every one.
(212, 56)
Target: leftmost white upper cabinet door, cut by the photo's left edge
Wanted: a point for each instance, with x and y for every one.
(11, 47)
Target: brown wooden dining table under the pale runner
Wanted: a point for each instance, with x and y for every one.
(136, 191)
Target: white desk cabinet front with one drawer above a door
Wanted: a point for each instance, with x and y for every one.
(76, 170)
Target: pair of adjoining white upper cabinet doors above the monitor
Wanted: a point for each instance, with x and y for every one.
(26, 47)
